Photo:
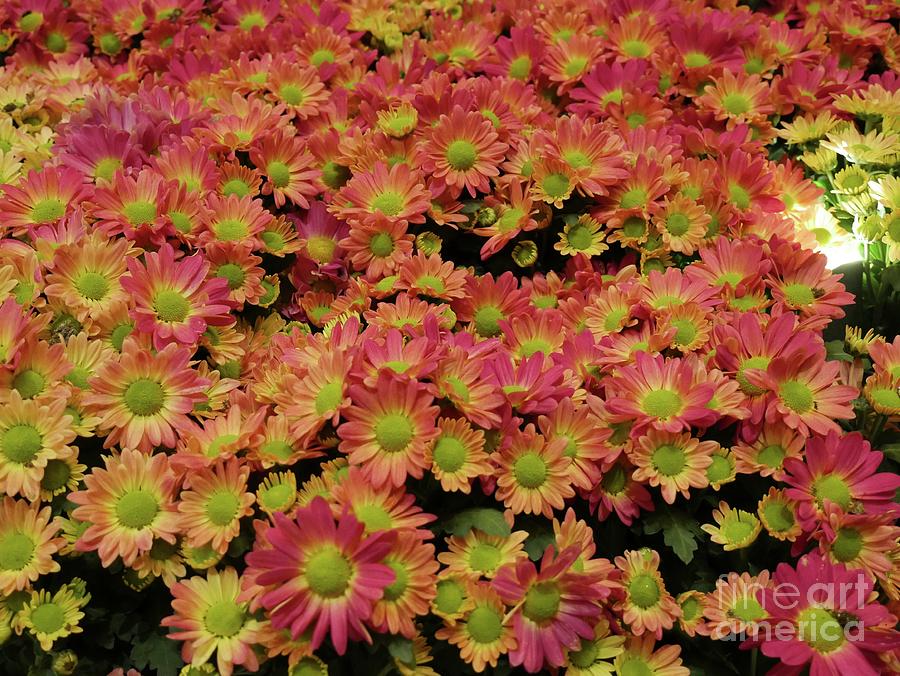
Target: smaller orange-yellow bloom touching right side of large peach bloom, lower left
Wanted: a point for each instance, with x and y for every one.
(211, 511)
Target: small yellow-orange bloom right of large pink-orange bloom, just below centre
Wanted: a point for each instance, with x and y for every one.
(457, 455)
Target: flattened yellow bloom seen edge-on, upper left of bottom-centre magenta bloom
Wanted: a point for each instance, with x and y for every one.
(478, 555)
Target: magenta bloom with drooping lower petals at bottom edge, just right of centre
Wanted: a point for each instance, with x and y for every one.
(554, 607)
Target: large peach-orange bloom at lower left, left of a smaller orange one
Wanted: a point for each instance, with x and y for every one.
(128, 504)
